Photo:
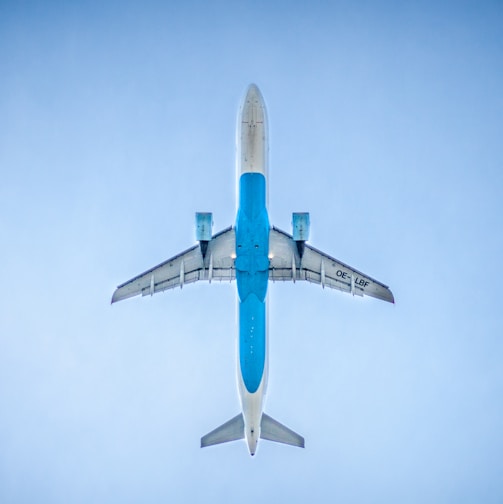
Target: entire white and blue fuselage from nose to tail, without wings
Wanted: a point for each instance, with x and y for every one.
(252, 270)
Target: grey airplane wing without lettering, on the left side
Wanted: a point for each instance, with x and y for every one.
(186, 267)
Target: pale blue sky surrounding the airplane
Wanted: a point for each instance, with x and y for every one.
(117, 124)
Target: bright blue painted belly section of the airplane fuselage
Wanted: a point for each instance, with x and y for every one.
(252, 275)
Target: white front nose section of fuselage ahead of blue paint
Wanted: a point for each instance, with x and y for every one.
(252, 147)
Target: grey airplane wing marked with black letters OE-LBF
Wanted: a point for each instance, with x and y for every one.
(286, 264)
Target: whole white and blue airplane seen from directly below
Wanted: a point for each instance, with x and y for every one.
(252, 252)
